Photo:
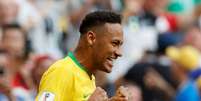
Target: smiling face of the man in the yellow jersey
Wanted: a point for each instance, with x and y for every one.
(107, 46)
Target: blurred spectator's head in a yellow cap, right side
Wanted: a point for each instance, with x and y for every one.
(184, 59)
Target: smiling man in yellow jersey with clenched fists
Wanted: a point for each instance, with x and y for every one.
(71, 78)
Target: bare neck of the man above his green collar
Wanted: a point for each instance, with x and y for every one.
(82, 54)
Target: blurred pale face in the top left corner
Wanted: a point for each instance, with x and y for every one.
(8, 11)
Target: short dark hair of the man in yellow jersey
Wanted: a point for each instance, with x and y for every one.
(98, 18)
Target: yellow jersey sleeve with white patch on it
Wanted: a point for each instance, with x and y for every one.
(56, 84)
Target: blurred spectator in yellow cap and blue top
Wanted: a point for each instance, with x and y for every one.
(184, 59)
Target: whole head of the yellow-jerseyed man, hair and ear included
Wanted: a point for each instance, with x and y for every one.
(103, 36)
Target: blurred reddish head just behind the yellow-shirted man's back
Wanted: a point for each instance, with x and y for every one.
(40, 65)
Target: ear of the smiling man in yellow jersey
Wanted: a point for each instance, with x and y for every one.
(91, 38)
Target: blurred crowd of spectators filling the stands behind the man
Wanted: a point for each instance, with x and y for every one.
(161, 52)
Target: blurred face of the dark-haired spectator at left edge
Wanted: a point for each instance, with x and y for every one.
(14, 42)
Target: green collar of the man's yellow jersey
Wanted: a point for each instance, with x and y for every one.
(72, 56)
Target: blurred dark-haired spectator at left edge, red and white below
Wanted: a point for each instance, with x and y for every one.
(17, 48)
